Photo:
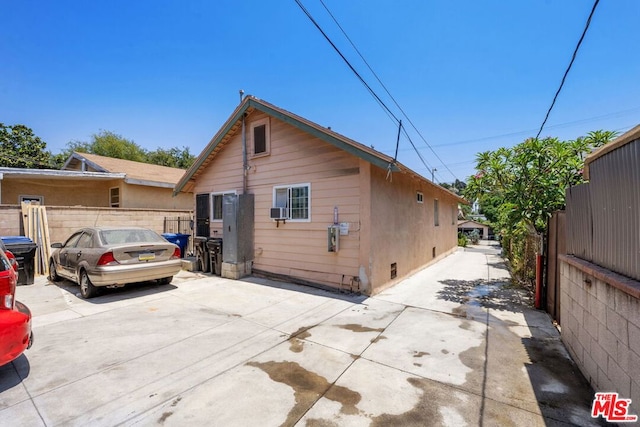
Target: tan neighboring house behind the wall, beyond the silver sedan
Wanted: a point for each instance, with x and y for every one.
(95, 181)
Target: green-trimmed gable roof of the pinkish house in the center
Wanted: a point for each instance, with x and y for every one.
(250, 104)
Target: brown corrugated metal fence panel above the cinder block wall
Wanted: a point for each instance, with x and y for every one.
(603, 216)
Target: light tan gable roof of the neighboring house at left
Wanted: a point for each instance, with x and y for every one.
(135, 172)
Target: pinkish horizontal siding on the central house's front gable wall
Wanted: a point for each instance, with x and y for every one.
(297, 249)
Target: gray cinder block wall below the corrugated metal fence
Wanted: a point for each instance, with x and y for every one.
(600, 313)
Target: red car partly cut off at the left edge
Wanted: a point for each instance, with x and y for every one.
(15, 317)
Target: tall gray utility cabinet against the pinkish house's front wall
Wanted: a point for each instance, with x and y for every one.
(238, 224)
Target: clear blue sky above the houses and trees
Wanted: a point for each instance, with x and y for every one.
(472, 76)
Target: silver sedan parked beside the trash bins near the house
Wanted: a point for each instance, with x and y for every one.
(113, 257)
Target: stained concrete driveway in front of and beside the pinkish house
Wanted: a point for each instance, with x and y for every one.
(452, 345)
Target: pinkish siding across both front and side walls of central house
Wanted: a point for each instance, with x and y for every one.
(385, 222)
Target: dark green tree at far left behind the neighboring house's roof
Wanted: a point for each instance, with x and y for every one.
(21, 148)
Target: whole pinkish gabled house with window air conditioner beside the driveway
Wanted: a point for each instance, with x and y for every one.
(310, 205)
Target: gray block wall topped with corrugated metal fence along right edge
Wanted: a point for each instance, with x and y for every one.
(600, 276)
